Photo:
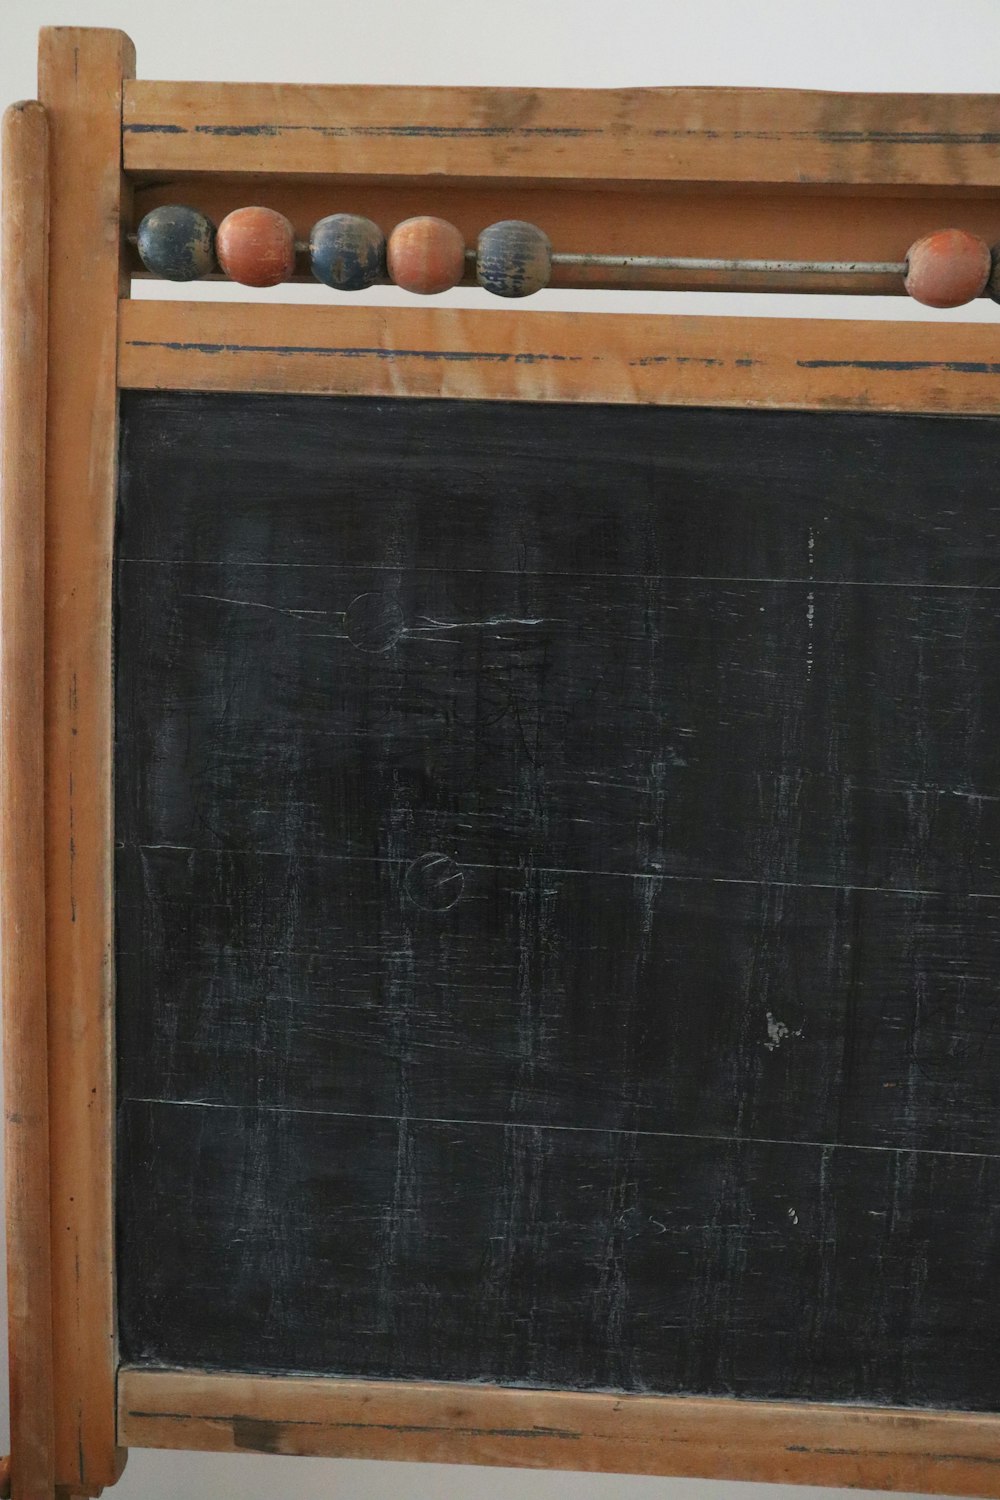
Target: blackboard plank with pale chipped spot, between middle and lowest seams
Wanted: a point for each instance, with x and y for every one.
(807, 1015)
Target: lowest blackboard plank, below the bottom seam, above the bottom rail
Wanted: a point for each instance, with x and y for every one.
(602, 1261)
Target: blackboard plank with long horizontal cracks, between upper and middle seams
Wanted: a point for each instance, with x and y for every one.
(749, 731)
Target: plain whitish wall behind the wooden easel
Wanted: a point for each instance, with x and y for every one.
(935, 46)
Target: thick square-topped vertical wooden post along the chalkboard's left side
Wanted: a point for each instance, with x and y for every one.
(82, 76)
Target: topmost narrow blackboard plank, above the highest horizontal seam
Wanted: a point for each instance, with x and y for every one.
(415, 485)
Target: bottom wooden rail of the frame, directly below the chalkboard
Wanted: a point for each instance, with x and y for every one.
(860, 1448)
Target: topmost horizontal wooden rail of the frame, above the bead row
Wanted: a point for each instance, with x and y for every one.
(761, 137)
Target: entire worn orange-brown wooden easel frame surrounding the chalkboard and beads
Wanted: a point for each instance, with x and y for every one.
(698, 172)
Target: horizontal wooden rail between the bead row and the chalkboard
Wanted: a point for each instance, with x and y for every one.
(524, 356)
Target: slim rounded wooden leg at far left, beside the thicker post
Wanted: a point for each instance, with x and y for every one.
(25, 280)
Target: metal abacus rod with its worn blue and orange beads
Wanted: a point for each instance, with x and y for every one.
(512, 259)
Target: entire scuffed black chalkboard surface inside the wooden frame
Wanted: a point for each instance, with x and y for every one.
(558, 896)
